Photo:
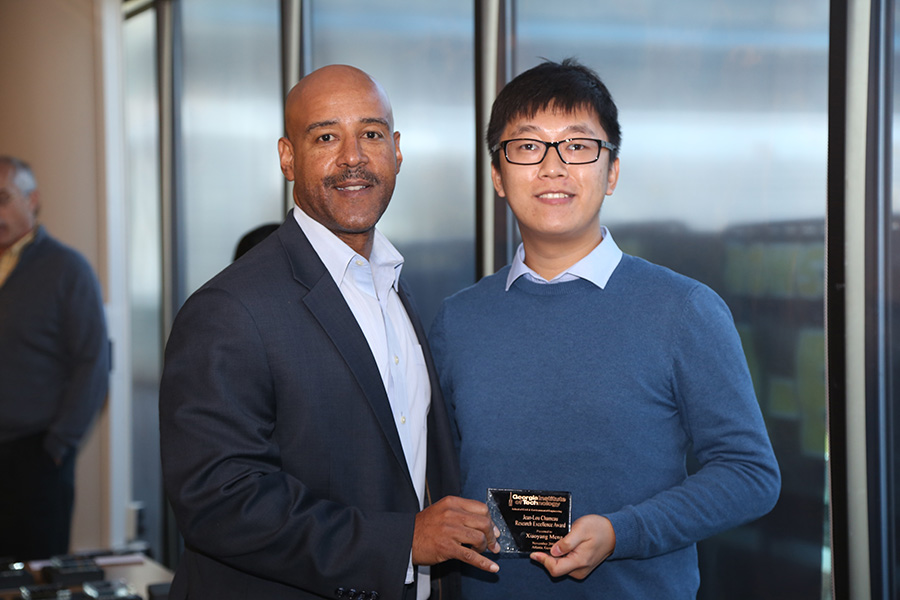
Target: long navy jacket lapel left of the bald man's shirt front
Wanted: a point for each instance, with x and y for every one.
(326, 303)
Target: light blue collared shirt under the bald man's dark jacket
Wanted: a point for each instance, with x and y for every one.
(370, 288)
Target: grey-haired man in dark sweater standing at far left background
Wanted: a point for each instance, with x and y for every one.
(54, 371)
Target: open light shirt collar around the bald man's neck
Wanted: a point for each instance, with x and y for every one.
(385, 260)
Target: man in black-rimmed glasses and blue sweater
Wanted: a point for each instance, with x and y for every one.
(582, 369)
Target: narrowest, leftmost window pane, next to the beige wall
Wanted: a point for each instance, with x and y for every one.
(144, 264)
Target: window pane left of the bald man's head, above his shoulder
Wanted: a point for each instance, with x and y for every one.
(231, 122)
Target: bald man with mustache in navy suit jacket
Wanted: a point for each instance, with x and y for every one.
(285, 448)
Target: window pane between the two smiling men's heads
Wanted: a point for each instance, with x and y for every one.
(422, 53)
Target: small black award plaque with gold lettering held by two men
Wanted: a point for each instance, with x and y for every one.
(529, 520)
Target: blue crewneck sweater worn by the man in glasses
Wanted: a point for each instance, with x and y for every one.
(602, 392)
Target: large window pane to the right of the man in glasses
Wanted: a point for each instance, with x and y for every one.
(723, 109)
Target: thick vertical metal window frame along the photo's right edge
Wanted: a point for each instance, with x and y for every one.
(862, 456)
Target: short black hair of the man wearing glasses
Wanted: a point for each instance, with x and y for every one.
(566, 86)
